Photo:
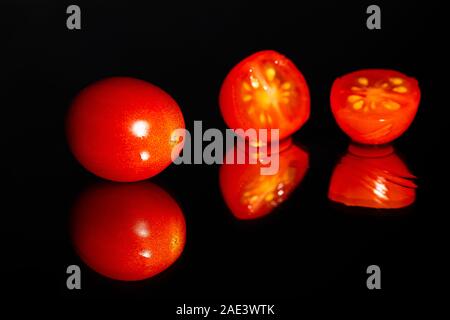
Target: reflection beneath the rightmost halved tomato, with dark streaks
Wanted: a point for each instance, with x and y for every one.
(373, 177)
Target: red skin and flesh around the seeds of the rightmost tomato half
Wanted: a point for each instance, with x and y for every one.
(375, 127)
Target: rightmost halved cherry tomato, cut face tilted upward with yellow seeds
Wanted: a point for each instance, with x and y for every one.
(374, 106)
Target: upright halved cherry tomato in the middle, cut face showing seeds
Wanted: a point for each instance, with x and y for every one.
(265, 91)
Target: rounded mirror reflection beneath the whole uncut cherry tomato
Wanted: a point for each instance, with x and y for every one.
(128, 232)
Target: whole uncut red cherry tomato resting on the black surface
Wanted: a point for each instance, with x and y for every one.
(122, 129)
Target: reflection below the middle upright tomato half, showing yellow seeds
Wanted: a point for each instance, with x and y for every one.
(251, 195)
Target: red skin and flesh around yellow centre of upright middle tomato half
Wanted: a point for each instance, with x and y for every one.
(236, 114)
